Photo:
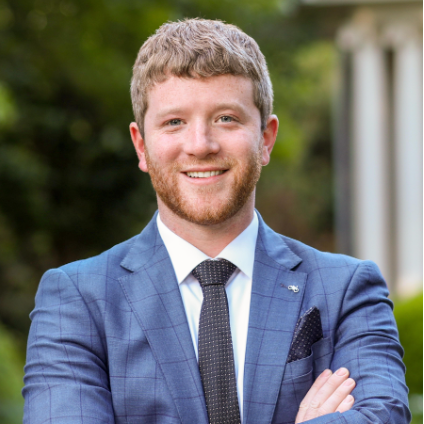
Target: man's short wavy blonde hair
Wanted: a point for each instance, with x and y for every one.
(199, 48)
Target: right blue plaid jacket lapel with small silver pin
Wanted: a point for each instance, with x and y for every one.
(274, 311)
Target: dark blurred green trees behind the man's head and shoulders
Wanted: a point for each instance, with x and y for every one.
(70, 186)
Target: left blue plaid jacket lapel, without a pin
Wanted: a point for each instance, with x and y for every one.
(153, 293)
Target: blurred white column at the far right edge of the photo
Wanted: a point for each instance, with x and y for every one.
(408, 160)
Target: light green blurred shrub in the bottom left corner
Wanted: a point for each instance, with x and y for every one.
(11, 374)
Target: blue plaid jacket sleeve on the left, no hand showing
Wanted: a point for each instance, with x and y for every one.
(66, 376)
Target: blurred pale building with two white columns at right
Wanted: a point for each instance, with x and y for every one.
(378, 120)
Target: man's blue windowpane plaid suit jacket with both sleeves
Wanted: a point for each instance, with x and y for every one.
(109, 340)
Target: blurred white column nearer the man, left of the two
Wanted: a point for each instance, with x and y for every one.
(370, 156)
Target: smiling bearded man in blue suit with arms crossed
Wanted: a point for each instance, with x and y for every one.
(147, 333)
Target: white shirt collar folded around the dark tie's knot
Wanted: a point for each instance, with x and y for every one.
(185, 257)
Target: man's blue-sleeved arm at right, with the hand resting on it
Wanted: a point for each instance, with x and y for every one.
(366, 343)
